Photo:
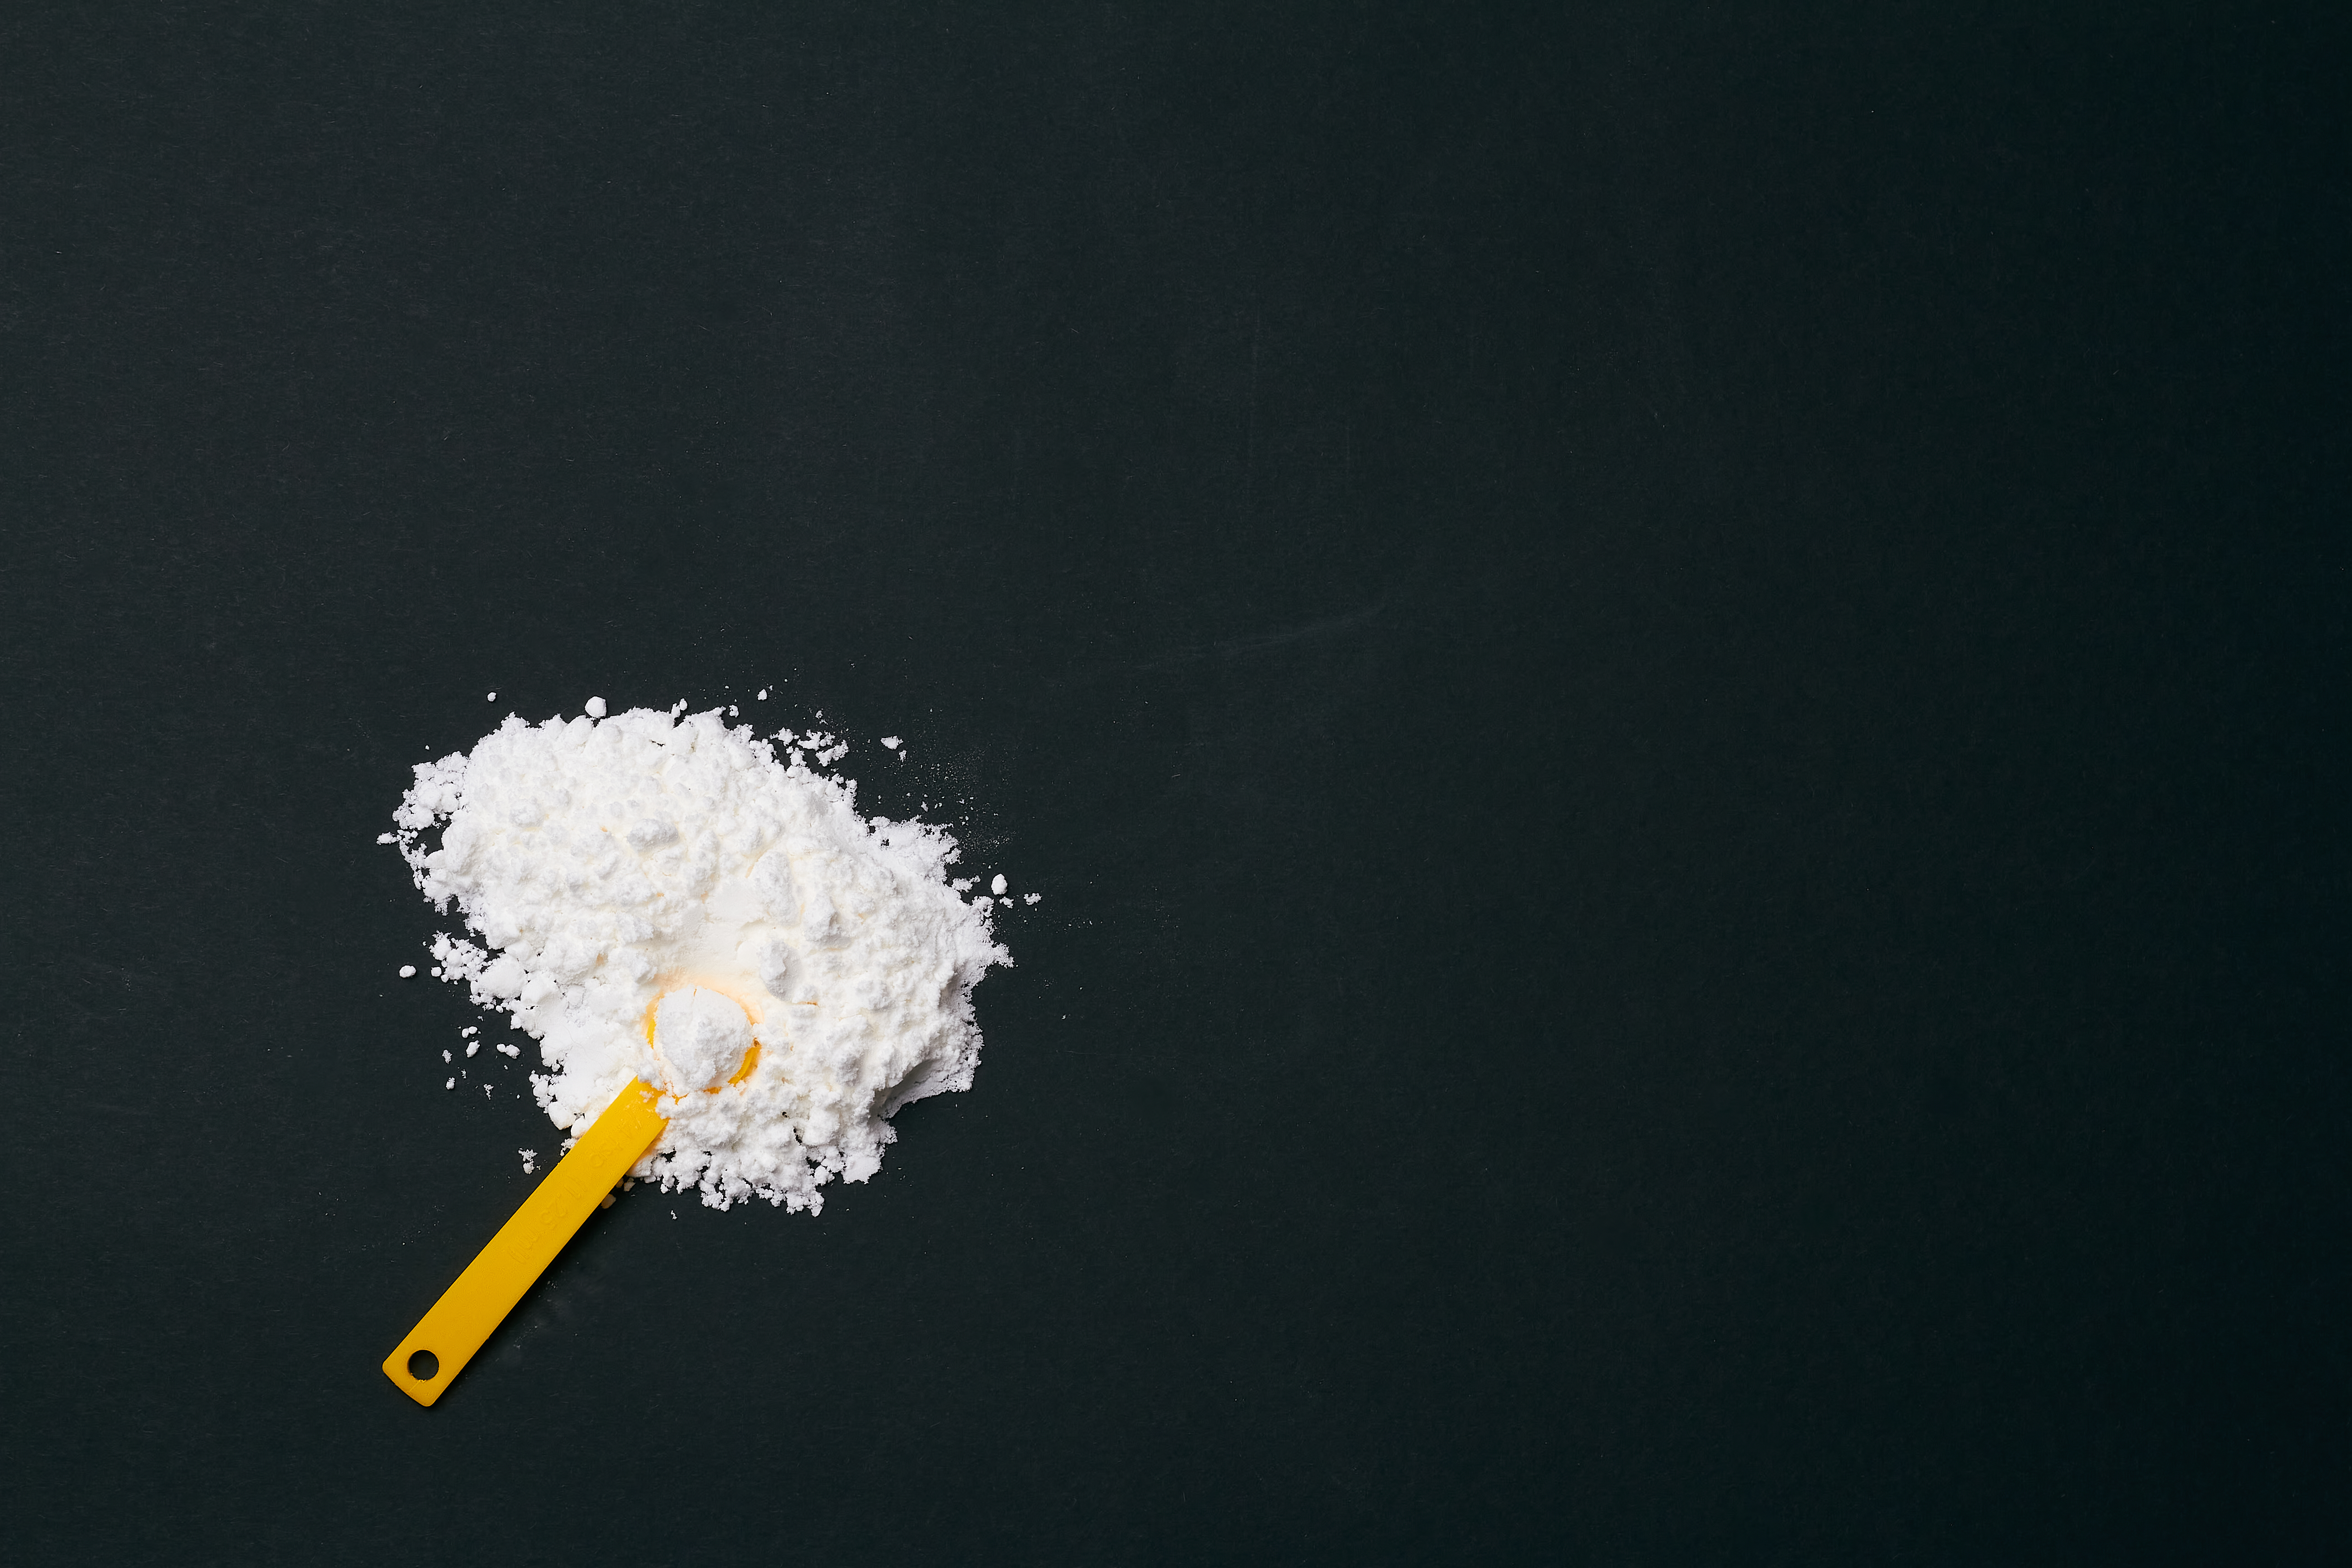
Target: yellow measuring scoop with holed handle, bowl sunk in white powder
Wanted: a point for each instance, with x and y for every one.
(490, 1287)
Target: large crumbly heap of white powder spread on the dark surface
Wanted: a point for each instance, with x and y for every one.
(662, 897)
